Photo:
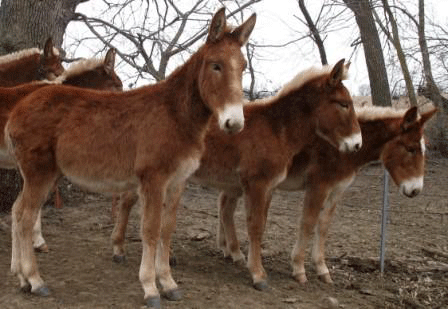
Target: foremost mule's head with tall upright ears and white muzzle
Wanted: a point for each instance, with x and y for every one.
(220, 76)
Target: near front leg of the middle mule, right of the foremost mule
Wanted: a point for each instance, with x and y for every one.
(257, 203)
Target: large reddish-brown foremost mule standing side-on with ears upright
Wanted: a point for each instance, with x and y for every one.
(150, 139)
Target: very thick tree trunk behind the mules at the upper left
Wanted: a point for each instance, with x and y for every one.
(25, 23)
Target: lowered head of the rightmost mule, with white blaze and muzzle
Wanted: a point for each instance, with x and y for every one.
(404, 155)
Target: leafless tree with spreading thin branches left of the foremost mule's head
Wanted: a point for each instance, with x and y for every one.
(149, 36)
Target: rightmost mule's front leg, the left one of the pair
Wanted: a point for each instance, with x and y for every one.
(314, 201)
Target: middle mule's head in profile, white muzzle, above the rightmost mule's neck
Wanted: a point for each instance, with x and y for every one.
(336, 119)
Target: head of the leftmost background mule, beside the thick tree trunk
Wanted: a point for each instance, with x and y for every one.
(50, 66)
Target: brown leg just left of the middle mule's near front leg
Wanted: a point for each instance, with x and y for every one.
(226, 236)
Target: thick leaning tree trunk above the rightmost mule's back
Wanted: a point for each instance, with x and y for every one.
(373, 51)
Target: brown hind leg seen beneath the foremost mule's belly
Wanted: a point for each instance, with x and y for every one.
(126, 202)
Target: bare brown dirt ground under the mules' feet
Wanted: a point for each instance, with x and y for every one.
(80, 272)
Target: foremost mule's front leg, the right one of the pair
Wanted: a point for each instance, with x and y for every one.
(163, 269)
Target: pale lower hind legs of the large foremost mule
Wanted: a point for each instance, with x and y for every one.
(24, 215)
